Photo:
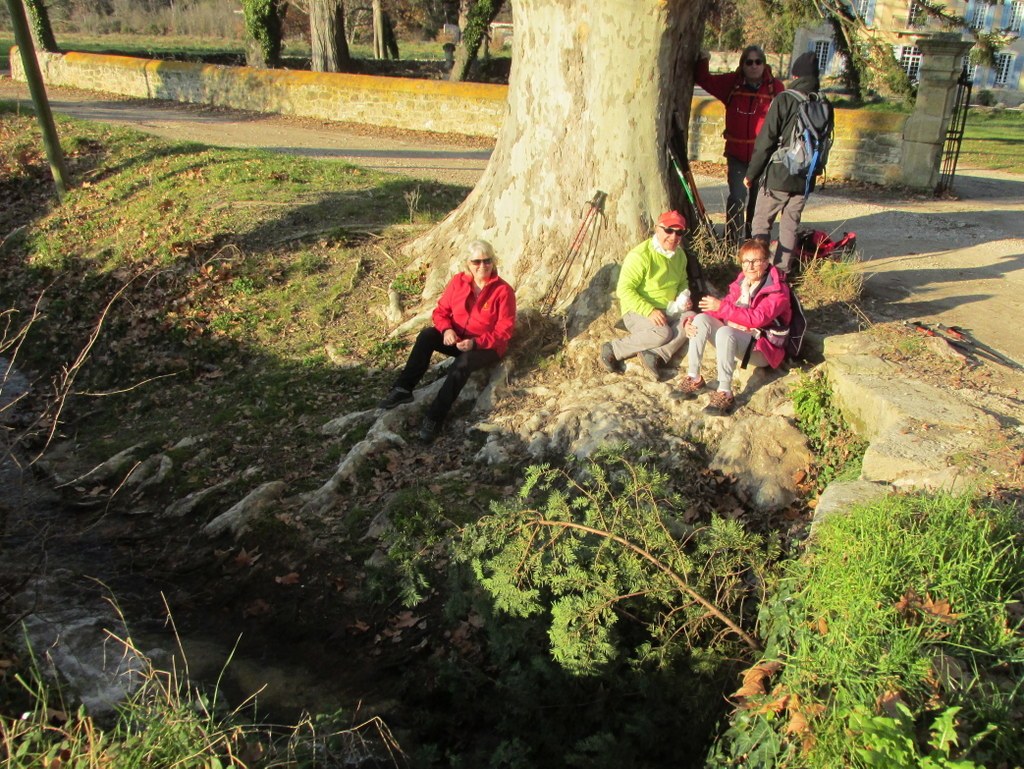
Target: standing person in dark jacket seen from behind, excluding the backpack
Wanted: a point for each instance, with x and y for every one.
(782, 193)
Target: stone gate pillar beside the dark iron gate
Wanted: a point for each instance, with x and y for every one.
(925, 131)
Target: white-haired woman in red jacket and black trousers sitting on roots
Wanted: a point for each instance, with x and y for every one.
(474, 322)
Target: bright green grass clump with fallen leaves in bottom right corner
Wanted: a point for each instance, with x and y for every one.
(904, 620)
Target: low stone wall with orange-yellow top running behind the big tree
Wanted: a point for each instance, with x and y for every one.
(868, 144)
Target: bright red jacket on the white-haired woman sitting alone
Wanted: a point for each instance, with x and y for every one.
(489, 320)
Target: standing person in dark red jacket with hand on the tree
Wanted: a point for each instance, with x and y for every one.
(747, 94)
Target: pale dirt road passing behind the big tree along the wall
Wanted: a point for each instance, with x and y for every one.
(958, 262)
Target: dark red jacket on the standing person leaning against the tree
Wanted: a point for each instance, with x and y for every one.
(745, 109)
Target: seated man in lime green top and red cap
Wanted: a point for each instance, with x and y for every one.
(651, 295)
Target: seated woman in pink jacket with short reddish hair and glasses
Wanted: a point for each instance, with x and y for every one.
(752, 324)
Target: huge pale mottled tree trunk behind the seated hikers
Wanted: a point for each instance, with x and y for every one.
(592, 95)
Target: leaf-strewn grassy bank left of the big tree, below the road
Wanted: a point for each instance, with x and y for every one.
(238, 272)
